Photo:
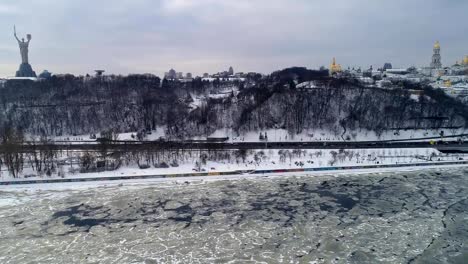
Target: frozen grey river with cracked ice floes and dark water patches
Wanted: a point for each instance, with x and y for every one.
(405, 217)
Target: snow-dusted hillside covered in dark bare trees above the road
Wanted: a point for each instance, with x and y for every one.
(68, 105)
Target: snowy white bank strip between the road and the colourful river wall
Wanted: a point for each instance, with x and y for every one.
(215, 162)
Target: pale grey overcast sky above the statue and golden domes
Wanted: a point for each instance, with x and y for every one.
(152, 36)
